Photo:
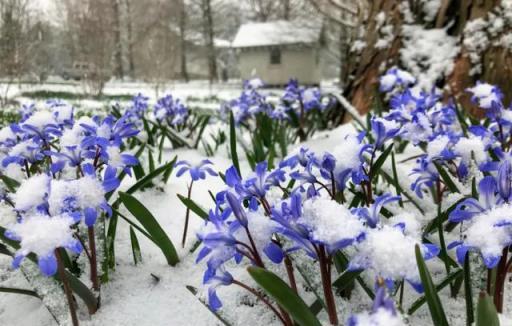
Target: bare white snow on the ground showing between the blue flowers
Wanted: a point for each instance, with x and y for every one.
(153, 293)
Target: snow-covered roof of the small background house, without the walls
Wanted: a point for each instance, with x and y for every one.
(276, 33)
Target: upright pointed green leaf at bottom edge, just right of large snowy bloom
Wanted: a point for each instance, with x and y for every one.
(434, 303)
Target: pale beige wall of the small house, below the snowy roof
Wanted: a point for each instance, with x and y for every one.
(300, 62)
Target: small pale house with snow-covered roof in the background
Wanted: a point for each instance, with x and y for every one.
(279, 50)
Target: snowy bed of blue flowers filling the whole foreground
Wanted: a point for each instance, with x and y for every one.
(359, 206)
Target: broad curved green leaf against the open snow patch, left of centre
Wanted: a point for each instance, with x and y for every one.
(151, 225)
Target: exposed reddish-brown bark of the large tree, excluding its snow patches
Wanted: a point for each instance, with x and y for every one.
(453, 16)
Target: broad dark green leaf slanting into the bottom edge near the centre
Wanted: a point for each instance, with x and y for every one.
(284, 296)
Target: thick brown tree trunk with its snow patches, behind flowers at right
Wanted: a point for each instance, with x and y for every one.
(449, 44)
